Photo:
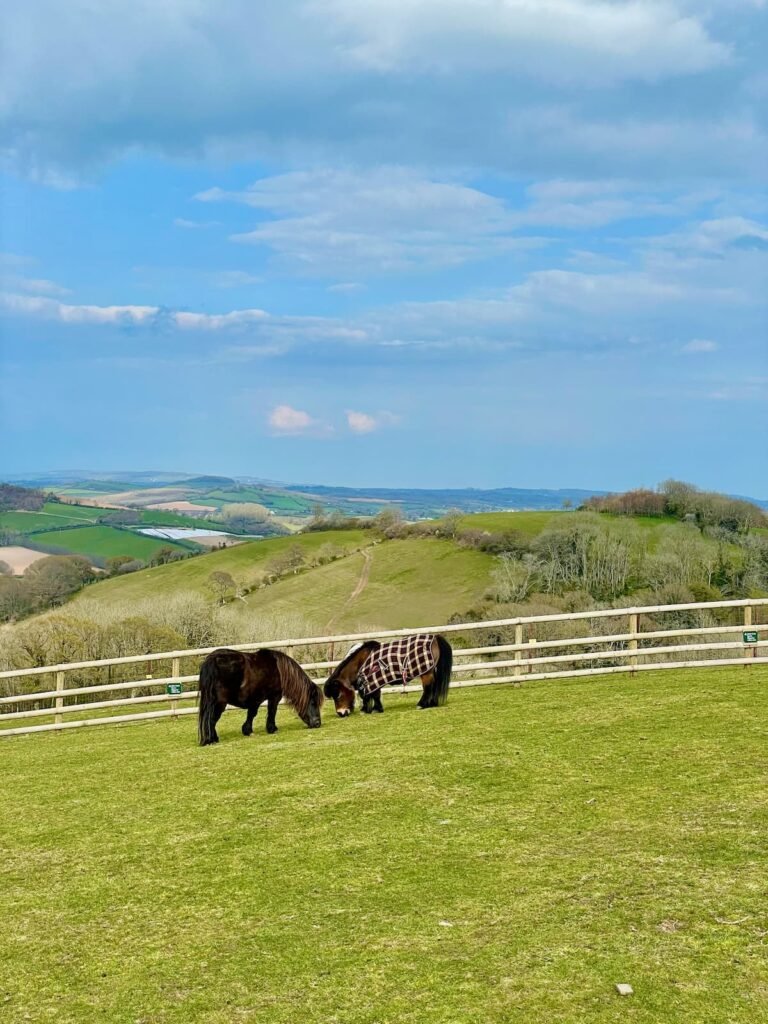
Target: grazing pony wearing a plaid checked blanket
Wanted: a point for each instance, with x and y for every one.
(372, 665)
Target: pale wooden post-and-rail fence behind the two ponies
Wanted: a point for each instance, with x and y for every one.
(509, 652)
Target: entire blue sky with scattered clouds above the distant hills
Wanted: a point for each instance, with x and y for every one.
(396, 242)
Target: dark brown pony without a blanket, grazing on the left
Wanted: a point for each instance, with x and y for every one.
(246, 680)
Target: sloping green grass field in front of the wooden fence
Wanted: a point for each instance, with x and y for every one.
(510, 858)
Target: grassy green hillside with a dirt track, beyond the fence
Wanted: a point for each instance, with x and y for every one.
(371, 583)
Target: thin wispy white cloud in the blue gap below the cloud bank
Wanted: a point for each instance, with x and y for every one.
(385, 221)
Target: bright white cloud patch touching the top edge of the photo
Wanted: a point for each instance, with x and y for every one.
(591, 40)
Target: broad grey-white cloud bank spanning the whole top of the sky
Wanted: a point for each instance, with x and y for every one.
(439, 82)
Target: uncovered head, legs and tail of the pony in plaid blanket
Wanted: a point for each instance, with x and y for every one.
(342, 685)
